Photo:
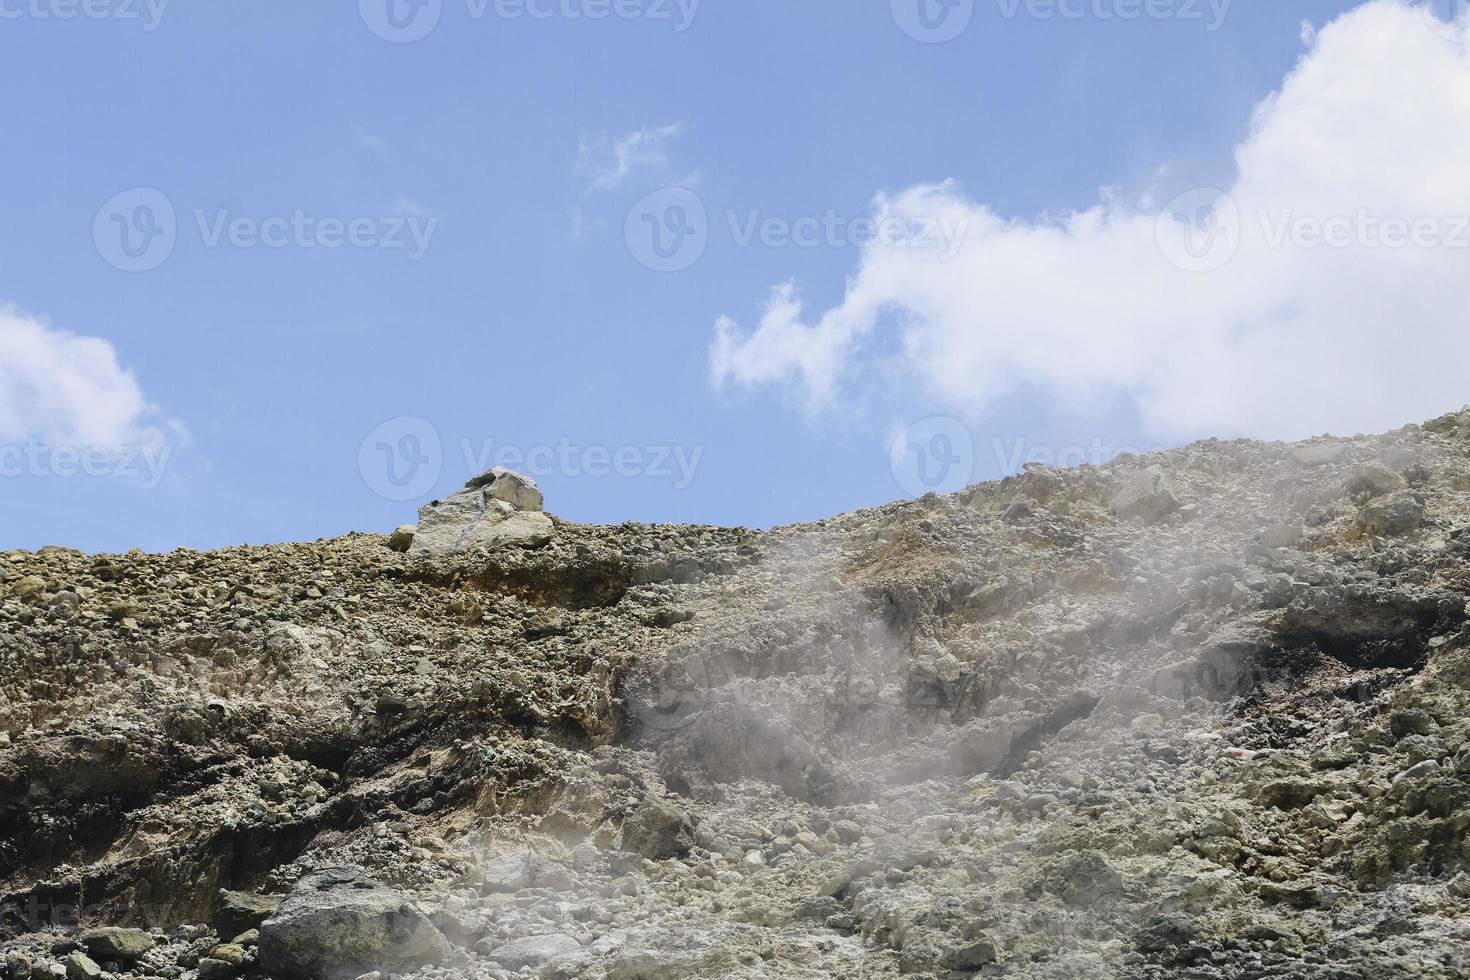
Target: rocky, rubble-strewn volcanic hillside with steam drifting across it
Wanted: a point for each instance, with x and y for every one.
(1197, 715)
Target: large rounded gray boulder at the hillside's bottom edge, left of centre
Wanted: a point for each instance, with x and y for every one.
(339, 925)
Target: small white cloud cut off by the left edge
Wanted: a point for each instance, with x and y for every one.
(61, 389)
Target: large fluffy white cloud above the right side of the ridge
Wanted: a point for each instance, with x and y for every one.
(1327, 290)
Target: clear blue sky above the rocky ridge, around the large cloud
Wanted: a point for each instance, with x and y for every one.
(290, 383)
